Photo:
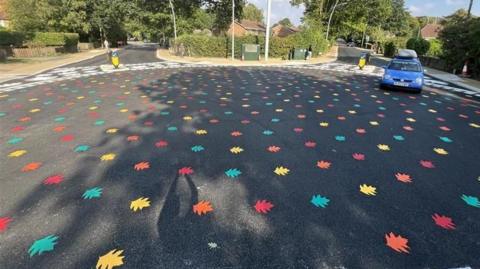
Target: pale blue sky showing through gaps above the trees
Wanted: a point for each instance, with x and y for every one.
(282, 8)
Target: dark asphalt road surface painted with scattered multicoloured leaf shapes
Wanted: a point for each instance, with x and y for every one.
(170, 165)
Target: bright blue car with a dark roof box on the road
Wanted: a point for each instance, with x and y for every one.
(403, 72)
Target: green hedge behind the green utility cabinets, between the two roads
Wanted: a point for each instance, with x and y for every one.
(220, 46)
